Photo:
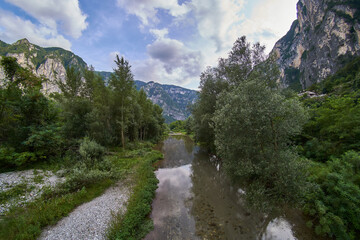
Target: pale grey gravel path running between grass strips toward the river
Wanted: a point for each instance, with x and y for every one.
(90, 220)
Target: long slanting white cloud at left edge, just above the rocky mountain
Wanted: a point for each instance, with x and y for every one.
(13, 28)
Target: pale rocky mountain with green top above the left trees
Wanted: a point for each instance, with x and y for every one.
(49, 62)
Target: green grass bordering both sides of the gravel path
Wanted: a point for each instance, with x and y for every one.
(83, 185)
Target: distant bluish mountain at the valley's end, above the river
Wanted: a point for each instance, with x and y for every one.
(172, 99)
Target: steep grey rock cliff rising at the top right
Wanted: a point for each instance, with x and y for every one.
(325, 36)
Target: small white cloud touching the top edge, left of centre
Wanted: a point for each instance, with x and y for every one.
(146, 10)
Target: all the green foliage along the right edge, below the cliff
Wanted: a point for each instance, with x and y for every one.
(331, 140)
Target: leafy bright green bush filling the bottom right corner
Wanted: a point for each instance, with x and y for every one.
(334, 202)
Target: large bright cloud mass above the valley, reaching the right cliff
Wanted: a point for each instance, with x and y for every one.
(218, 24)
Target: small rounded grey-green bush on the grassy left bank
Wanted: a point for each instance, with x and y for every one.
(91, 152)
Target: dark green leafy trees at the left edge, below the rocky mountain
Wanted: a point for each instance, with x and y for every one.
(28, 120)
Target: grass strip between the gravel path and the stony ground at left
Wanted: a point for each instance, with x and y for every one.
(27, 223)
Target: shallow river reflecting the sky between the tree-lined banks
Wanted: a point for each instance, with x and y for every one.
(196, 200)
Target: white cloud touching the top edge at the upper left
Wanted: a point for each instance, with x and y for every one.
(52, 13)
